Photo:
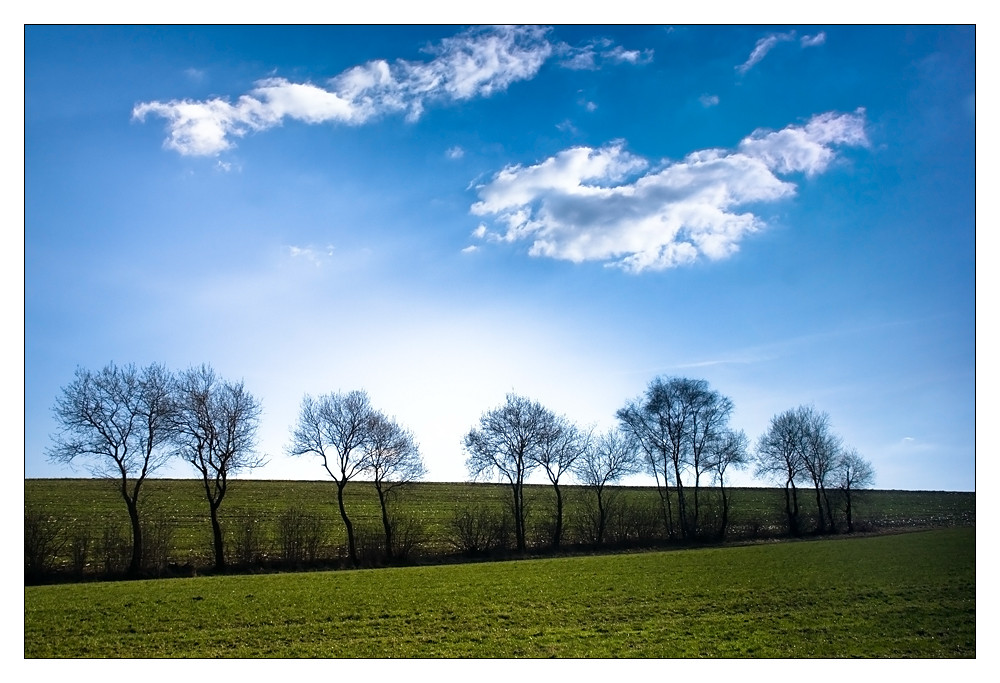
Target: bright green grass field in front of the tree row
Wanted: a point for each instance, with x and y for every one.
(901, 595)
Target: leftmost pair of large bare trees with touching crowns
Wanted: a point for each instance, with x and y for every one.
(128, 422)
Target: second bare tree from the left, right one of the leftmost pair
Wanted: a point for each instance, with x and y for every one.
(214, 429)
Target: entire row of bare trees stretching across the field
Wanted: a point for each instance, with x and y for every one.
(127, 422)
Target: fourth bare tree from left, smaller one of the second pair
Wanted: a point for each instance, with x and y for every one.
(393, 459)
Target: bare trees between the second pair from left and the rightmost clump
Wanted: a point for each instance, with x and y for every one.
(677, 432)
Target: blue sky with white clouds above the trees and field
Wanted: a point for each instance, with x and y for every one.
(443, 215)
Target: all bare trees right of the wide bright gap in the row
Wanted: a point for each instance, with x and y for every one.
(677, 432)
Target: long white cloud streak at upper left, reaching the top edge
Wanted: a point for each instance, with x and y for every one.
(478, 62)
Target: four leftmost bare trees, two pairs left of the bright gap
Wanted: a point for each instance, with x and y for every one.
(129, 421)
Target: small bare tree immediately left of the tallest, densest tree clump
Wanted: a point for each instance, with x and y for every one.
(605, 460)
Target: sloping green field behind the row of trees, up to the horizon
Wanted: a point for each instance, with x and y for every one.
(92, 505)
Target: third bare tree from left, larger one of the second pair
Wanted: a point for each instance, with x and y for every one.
(335, 428)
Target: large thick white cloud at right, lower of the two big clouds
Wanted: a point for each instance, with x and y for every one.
(606, 204)
